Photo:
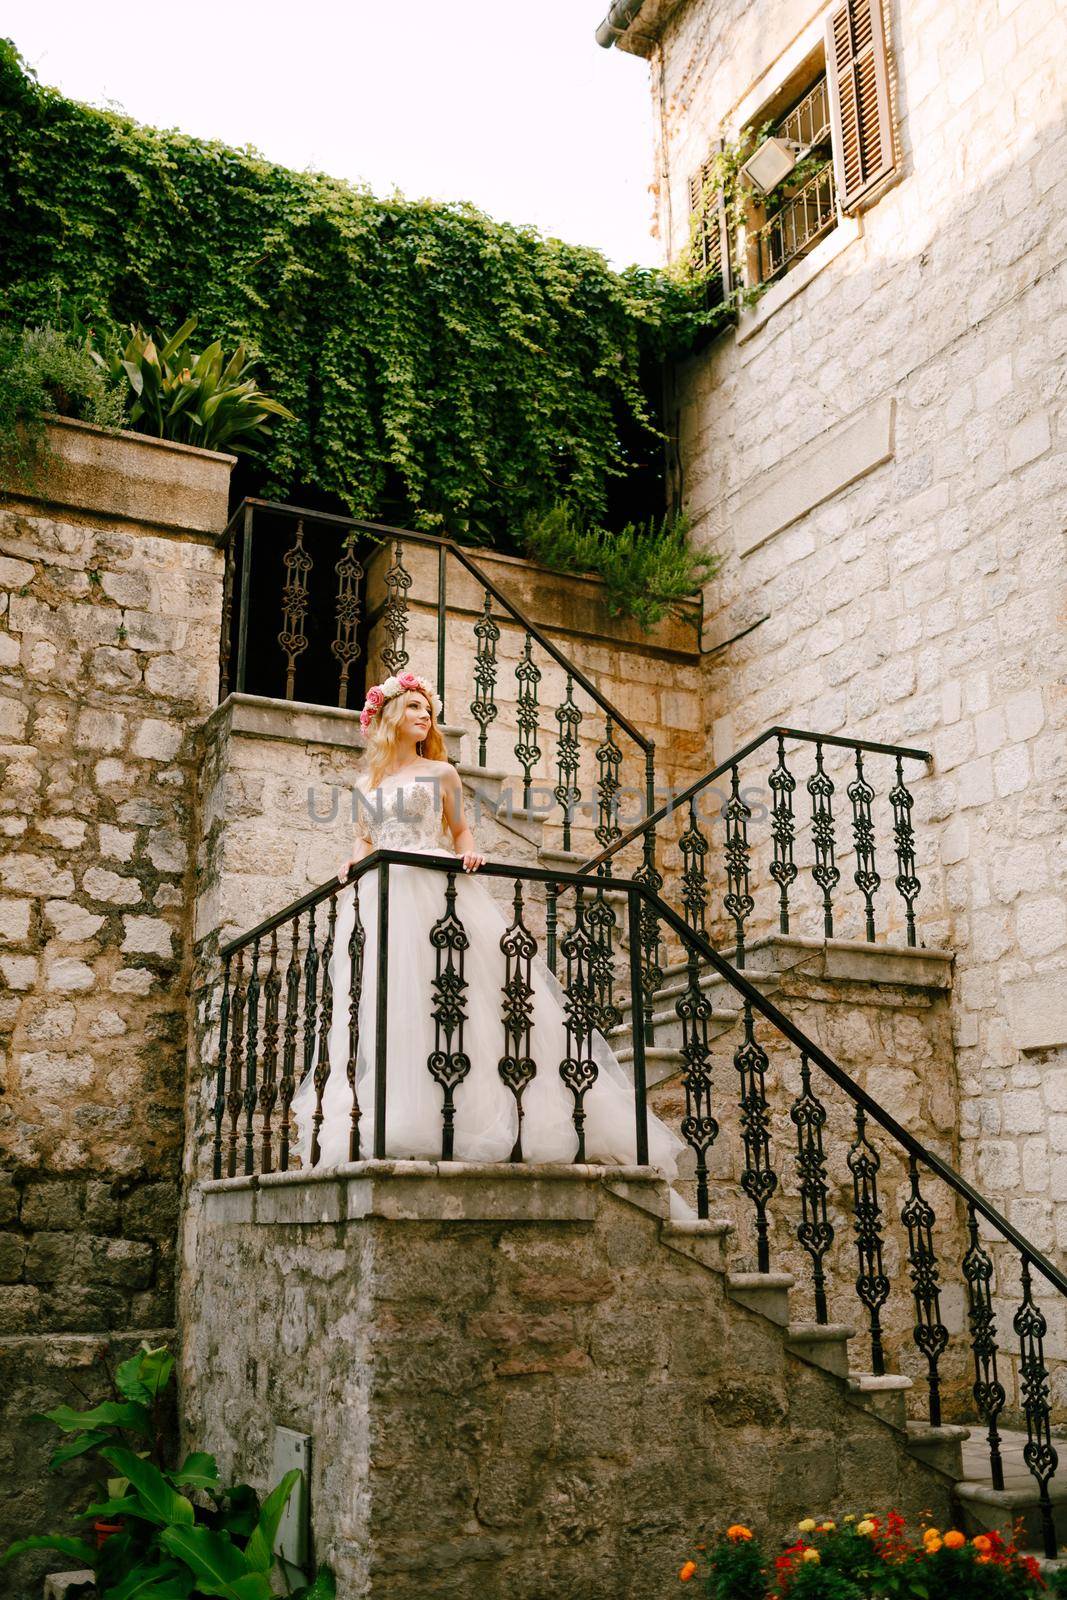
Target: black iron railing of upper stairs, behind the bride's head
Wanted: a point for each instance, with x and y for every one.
(319, 601)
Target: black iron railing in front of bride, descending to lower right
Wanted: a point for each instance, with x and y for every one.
(279, 1006)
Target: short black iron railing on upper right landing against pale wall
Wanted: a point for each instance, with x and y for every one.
(738, 858)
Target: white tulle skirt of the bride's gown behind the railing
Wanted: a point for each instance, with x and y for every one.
(486, 1110)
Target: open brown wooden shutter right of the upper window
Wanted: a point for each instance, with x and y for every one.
(858, 76)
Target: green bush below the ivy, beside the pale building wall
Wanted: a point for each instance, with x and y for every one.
(649, 569)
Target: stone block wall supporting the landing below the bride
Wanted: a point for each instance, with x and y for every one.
(513, 1386)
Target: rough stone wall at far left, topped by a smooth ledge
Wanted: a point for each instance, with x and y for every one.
(110, 615)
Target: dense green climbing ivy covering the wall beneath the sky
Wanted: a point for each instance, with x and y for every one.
(444, 370)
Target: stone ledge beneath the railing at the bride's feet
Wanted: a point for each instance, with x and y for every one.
(430, 1193)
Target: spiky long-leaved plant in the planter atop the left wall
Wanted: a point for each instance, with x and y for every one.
(202, 399)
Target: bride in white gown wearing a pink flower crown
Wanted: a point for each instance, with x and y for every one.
(407, 791)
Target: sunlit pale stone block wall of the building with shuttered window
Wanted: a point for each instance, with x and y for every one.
(881, 460)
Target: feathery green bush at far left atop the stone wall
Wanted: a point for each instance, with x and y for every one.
(49, 372)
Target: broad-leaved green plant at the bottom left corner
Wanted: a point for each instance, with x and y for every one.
(182, 1534)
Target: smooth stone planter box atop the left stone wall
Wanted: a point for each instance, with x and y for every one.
(132, 478)
